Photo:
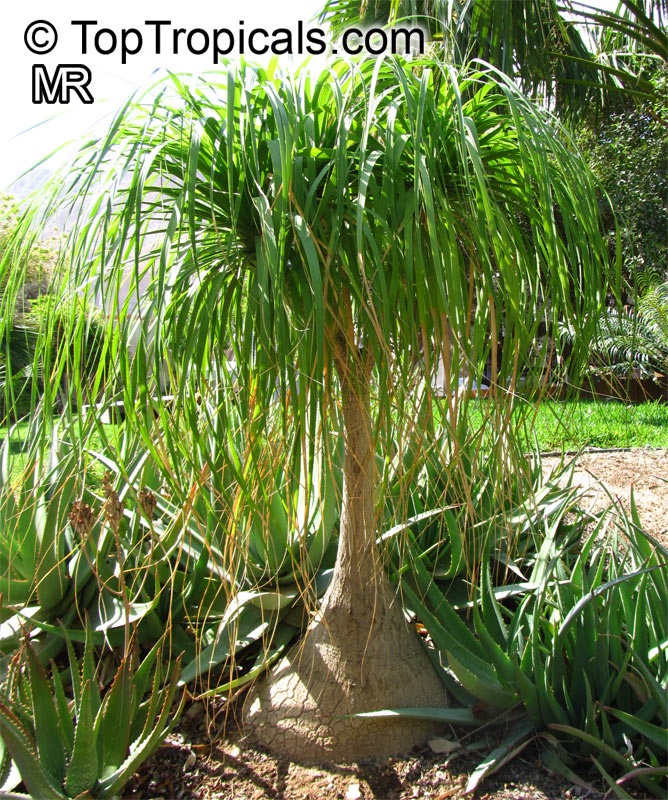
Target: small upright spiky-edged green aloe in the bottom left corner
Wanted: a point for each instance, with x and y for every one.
(89, 744)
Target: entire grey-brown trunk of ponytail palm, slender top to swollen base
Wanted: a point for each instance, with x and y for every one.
(358, 654)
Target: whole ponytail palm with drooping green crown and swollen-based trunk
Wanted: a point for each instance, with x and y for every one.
(334, 230)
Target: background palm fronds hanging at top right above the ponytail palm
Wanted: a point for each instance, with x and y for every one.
(539, 43)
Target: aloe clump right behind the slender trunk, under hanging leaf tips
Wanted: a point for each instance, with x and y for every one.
(450, 524)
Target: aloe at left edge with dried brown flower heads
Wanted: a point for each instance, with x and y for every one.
(59, 560)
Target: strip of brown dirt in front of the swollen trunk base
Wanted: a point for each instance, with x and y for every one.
(181, 769)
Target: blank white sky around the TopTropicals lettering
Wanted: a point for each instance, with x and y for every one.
(29, 132)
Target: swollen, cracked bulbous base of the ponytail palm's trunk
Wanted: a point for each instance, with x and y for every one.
(348, 662)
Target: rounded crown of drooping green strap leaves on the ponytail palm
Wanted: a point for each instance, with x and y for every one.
(367, 206)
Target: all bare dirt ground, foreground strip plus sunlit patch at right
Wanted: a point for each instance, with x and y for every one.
(197, 762)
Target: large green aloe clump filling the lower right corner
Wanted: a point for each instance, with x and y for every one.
(575, 655)
